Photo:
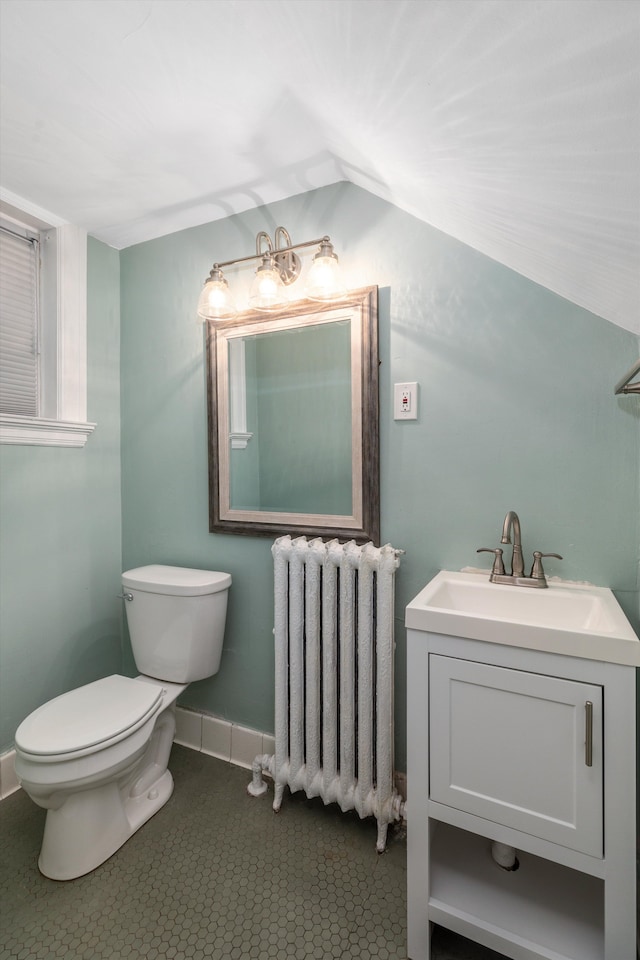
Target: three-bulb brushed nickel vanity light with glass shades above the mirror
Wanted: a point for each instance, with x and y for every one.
(279, 267)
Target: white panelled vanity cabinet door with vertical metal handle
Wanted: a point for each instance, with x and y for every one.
(513, 747)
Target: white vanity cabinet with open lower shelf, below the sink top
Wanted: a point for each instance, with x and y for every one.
(535, 750)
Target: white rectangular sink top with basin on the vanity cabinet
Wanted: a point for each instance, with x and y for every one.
(568, 618)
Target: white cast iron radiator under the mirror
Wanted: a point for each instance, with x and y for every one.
(334, 677)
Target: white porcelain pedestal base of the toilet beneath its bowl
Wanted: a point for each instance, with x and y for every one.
(91, 825)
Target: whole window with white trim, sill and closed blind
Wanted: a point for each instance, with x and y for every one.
(43, 400)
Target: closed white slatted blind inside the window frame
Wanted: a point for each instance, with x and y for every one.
(18, 324)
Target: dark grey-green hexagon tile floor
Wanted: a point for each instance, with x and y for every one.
(215, 875)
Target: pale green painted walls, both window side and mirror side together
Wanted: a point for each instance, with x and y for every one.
(516, 412)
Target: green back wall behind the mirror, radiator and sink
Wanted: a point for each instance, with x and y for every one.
(516, 412)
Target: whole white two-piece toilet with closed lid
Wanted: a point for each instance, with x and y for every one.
(96, 758)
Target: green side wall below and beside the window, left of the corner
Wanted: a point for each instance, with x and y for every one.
(60, 513)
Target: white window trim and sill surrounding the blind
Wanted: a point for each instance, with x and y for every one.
(70, 427)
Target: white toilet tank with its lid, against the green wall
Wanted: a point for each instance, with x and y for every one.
(176, 620)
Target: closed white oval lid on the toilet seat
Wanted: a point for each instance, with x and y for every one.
(88, 716)
